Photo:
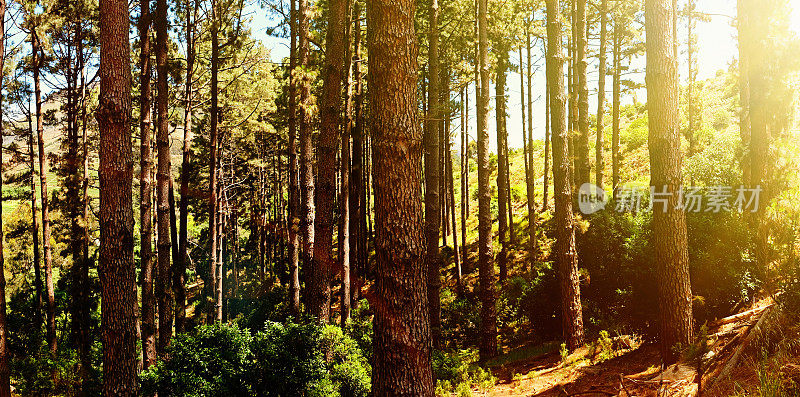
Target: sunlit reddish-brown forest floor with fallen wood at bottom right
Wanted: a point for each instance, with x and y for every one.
(631, 368)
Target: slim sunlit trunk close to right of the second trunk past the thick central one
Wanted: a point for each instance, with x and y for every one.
(502, 168)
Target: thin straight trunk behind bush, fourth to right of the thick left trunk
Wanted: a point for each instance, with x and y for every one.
(215, 282)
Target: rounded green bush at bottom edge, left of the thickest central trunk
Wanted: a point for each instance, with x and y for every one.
(292, 359)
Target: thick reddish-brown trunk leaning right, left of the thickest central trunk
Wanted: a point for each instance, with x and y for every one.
(327, 146)
